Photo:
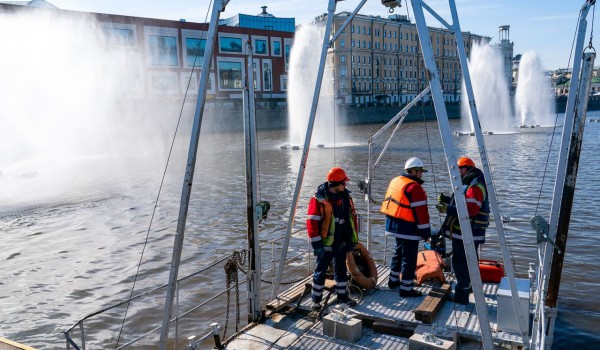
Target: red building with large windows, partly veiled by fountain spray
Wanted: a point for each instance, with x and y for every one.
(165, 56)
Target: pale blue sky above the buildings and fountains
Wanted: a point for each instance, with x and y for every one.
(544, 27)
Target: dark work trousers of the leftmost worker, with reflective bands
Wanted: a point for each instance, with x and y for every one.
(340, 275)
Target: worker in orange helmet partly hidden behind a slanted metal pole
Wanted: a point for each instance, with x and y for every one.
(478, 207)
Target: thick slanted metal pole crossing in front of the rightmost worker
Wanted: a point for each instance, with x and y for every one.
(461, 205)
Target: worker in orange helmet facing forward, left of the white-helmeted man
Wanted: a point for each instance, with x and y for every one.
(332, 229)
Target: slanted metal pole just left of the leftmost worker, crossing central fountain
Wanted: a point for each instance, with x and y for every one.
(311, 122)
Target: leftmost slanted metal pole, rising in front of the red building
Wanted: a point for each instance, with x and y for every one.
(219, 6)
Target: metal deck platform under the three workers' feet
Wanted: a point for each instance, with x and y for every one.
(380, 305)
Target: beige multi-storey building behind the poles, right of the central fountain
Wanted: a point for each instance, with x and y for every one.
(377, 61)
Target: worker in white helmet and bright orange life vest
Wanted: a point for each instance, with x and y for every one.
(407, 219)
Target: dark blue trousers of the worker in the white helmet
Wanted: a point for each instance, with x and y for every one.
(404, 261)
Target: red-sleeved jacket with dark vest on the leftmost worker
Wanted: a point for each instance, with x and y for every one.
(321, 221)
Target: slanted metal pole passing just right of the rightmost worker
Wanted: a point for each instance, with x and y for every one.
(523, 323)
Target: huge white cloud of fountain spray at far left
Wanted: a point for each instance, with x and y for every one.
(66, 125)
